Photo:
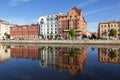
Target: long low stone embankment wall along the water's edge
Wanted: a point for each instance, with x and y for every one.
(93, 42)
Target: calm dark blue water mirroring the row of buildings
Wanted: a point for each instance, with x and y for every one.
(35, 62)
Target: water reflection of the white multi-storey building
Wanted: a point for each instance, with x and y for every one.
(48, 57)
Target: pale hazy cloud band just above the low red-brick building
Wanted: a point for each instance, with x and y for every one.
(21, 21)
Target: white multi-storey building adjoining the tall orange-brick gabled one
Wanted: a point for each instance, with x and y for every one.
(48, 26)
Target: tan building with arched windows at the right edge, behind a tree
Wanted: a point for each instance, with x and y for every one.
(105, 27)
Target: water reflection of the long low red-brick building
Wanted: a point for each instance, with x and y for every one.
(30, 52)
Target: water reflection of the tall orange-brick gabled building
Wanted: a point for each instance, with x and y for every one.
(74, 64)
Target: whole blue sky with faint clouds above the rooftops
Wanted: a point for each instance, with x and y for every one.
(28, 11)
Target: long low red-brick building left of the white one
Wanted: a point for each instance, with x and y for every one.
(24, 32)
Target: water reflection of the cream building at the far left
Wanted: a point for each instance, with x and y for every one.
(4, 53)
